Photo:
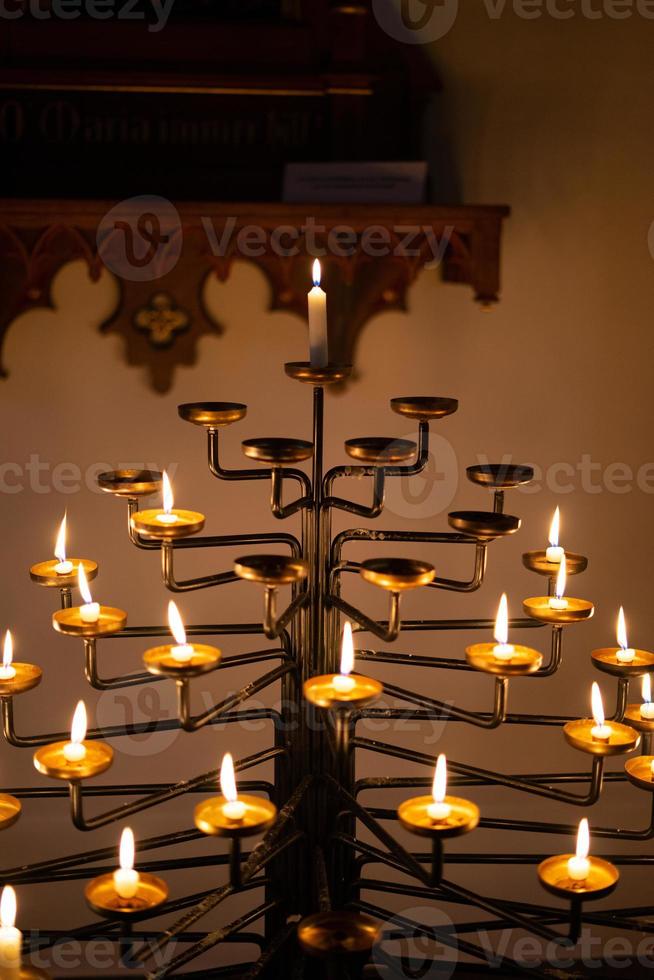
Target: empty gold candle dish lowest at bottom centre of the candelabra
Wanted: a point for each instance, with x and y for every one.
(339, 933)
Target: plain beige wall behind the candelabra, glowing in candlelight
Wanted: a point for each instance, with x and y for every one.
(551, 117)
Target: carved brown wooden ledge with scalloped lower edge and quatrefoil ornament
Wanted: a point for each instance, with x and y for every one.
(161, 256)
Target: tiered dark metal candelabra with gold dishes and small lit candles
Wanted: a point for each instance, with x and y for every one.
(308, 871)
